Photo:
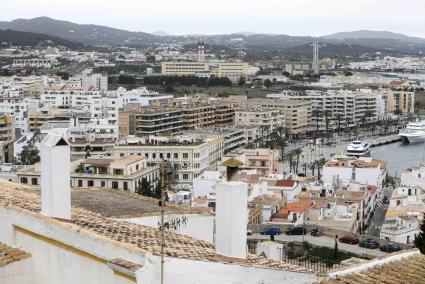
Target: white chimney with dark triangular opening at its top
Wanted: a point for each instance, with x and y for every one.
(55, 177)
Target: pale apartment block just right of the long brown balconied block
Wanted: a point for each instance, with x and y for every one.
(258, 116)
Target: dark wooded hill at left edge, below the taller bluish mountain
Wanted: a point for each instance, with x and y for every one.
(18, 38)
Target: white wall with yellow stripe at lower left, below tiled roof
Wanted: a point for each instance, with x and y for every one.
(53, 263)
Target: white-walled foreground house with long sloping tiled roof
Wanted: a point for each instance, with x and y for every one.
(106, 250)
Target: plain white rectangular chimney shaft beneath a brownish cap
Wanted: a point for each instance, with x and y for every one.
(231, 219)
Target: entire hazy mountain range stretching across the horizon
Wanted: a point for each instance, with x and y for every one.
(267, 44)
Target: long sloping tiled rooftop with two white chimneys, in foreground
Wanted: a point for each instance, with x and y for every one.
(17, 197)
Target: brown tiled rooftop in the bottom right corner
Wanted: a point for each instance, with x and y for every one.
(406, 270)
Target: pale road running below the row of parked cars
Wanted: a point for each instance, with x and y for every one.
(324, 242)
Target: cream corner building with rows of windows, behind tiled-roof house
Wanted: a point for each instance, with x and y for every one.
(187, 157)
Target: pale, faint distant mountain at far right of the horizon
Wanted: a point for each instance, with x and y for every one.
(367, 34)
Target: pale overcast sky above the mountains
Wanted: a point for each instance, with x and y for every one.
(294, 17)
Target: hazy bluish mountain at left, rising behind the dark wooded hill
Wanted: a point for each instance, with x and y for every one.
(89, 34)
